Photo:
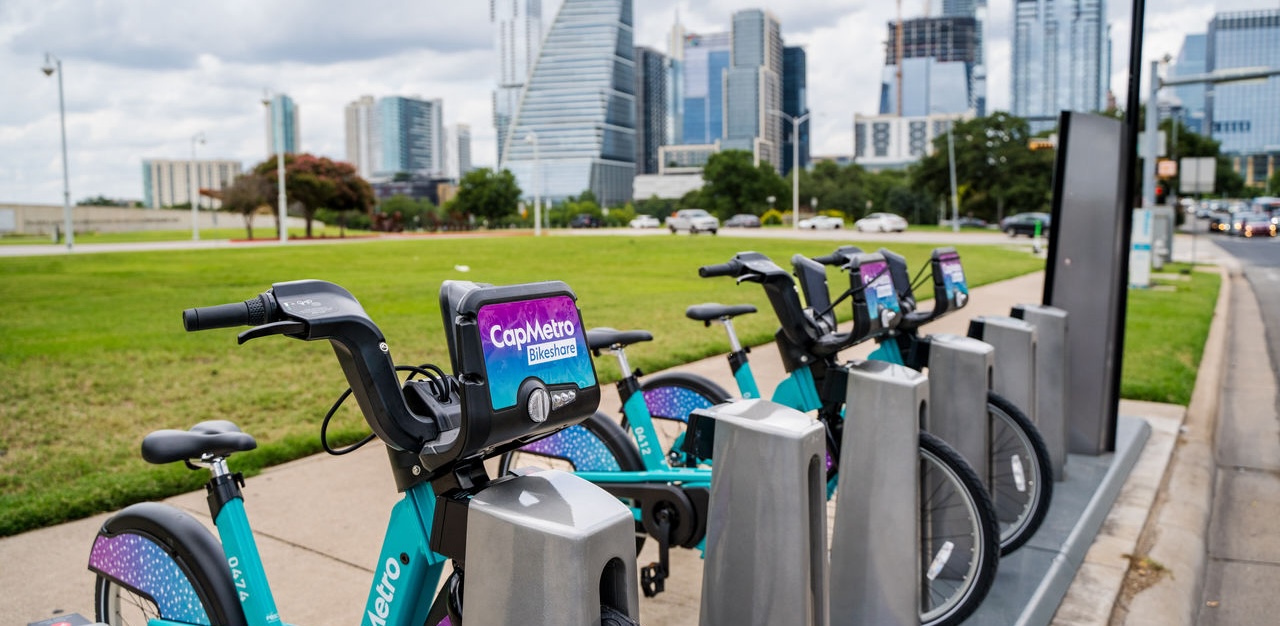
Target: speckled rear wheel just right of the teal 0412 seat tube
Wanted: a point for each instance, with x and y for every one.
(671, 397)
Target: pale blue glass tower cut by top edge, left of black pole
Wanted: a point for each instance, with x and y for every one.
(1059, 58)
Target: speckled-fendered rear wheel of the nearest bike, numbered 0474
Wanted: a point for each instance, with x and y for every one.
(186, 572)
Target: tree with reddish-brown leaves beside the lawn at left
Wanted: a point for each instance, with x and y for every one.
(318, 182)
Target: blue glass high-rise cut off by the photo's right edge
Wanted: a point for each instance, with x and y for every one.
(1244, 116)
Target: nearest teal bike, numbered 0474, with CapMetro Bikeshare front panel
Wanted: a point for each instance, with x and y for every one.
(159, 566)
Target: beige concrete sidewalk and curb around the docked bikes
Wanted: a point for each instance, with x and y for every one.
(321, 520)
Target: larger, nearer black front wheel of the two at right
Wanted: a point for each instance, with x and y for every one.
(958, 552)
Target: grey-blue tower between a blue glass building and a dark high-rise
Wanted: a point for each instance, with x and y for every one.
(753, 88)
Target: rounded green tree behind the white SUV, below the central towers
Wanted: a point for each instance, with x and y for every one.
(735, 185)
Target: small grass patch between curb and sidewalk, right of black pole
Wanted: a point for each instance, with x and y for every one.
(1165, 333)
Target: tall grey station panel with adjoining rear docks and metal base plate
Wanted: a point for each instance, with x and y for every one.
(1060, 362)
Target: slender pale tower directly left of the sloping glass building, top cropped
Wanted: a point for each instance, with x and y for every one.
(519, 38)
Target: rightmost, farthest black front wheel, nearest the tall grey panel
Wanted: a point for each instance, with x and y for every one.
(1022, 482)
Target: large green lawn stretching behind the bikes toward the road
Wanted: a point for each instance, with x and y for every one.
(93, 354)
